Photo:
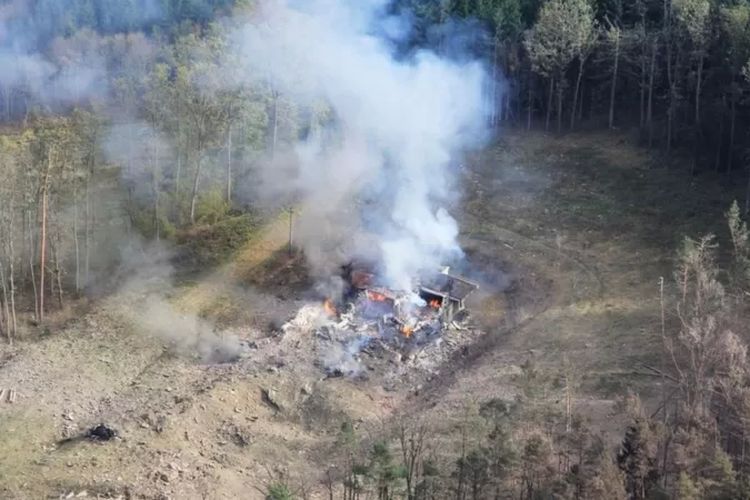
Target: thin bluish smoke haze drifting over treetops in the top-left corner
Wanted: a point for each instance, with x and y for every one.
(50, 67)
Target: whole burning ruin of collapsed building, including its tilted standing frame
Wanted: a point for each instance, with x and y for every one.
(372, 323)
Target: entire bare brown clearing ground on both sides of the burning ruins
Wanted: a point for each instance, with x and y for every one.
(567, 235)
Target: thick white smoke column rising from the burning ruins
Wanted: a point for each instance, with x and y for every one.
(381, 185)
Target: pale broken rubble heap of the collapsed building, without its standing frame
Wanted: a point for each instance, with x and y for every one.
(397, 327)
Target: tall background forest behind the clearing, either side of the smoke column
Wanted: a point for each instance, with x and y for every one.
(87, 81)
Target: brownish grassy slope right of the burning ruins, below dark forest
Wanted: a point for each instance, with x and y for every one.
(595, 222)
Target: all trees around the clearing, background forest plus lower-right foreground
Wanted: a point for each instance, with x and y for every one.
(126, 122)
